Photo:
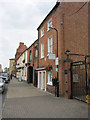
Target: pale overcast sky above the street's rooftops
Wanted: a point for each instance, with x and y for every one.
(19, 20)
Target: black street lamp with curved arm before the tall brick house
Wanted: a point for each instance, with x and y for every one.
(57, 58)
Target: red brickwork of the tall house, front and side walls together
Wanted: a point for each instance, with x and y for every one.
(73, 36)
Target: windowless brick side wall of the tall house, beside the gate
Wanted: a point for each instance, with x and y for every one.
(75, 35)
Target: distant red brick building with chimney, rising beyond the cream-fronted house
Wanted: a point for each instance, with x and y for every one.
(19, 50)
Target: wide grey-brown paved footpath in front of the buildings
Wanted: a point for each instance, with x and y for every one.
(26, 101)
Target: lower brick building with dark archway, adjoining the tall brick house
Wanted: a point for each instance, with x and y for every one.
(32, 63)
